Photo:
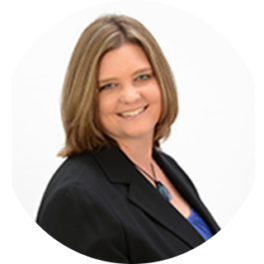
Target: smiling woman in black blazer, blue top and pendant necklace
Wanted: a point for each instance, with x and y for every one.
(117, 197)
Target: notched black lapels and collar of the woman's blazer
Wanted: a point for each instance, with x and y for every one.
(120, 169)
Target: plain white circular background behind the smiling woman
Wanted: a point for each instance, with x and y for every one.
(213, 138)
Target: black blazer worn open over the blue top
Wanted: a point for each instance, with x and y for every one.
(100, 206)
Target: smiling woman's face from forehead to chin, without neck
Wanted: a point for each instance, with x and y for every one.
(127, 89)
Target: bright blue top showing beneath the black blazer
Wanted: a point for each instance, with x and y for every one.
(200, 225)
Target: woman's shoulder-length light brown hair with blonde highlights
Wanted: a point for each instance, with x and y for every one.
(79, 94)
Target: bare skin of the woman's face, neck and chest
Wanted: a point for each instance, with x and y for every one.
(127, 92)
